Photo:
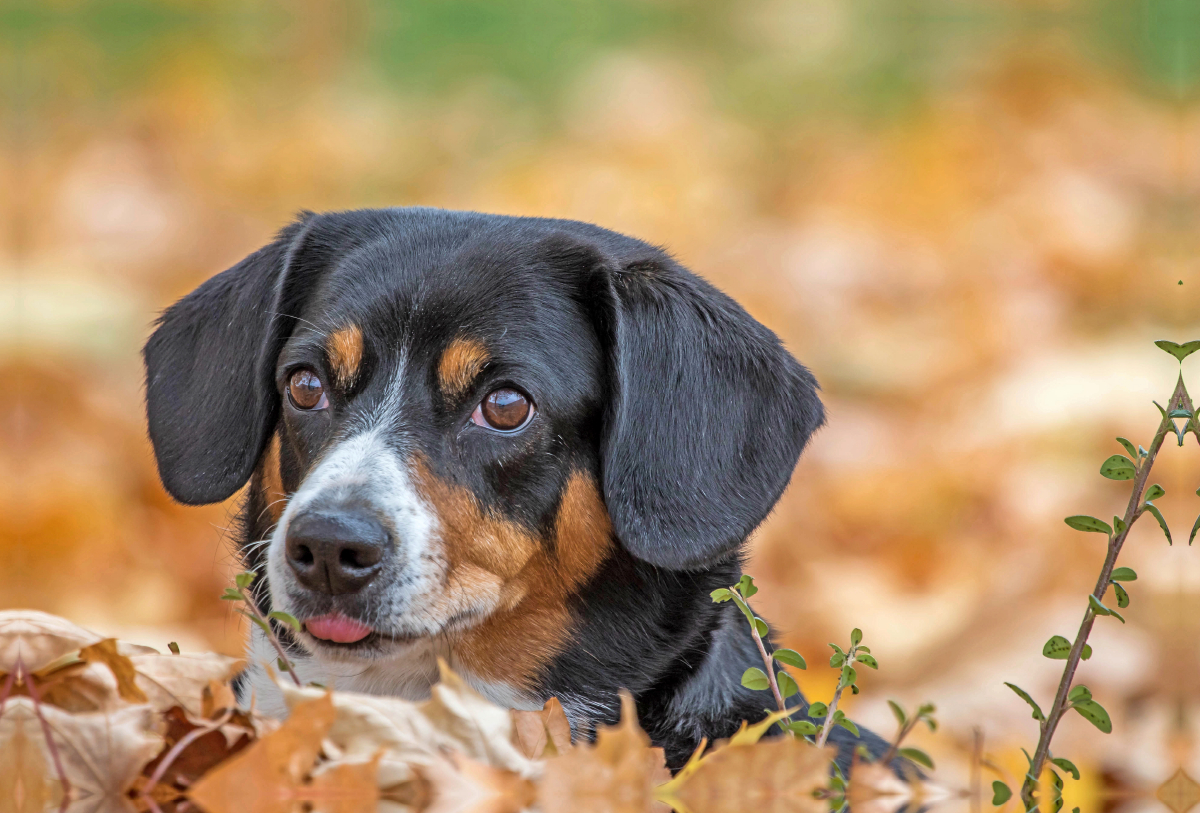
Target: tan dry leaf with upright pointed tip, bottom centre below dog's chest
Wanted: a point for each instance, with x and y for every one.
(619, 775)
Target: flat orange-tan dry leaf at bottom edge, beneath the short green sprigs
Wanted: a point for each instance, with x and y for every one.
(775, 776)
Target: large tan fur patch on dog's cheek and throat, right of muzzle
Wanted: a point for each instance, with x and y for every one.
(507, 589)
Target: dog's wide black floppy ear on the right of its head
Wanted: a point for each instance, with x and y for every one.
(709, 412)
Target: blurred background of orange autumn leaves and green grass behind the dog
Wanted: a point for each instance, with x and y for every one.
(971, 220)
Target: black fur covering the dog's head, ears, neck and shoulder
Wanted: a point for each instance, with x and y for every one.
(688, 413)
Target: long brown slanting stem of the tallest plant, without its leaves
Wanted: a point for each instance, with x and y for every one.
(1133, 511)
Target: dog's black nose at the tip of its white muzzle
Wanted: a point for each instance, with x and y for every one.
(337, 552)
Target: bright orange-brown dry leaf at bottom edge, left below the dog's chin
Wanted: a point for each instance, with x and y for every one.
(269, 776)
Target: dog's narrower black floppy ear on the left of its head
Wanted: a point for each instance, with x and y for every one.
(211, 370)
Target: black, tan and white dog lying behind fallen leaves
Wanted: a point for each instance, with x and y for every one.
(532, 448)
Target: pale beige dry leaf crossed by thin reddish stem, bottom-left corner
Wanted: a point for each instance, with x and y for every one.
(103, 755)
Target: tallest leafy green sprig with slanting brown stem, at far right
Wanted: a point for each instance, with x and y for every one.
(1137, 468)
